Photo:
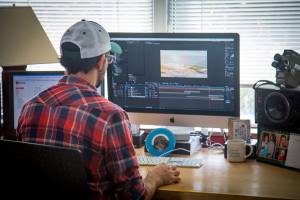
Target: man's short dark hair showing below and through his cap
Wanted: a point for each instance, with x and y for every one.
(72, 61)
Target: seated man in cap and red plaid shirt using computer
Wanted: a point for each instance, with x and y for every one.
(72, 114)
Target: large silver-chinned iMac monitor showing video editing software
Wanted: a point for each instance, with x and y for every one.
(176, 79)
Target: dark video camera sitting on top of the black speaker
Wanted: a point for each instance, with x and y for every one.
(287, 68)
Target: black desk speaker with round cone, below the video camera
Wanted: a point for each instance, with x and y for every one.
(278, 108)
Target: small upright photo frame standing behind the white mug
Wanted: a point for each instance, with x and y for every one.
(239, 129)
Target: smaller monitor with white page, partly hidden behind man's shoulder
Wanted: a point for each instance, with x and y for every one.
(25, 85)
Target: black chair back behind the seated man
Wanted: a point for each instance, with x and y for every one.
(34, 171)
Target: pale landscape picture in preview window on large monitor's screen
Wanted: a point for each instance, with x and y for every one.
(183, 63)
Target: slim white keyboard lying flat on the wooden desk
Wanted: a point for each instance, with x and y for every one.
(177, 161)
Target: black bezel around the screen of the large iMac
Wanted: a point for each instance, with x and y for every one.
(234, 36)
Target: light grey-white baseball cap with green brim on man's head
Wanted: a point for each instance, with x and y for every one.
(91, 38)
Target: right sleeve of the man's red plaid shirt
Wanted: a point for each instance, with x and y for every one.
(121, 160)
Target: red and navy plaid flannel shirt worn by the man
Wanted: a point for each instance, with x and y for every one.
(72, 114)
